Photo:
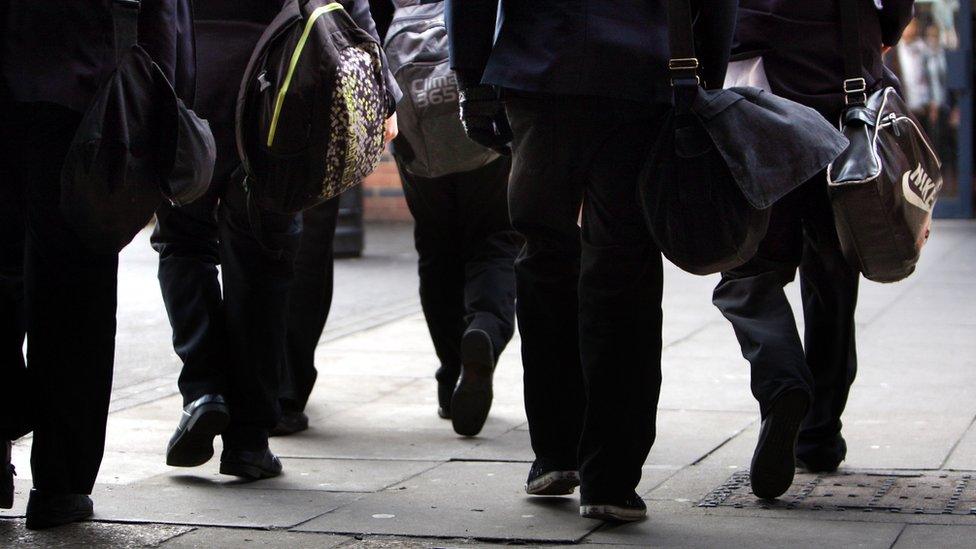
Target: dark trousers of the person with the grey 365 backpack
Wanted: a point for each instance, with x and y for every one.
(466, 247)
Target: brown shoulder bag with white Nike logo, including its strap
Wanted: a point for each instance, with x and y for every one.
(884, 186)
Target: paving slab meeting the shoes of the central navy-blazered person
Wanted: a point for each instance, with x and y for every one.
(481, 500)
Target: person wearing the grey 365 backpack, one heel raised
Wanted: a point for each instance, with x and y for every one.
(457, 193)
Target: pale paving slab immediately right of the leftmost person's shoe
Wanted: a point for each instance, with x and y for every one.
(196, 502)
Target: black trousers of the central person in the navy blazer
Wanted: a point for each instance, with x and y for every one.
(589, 304)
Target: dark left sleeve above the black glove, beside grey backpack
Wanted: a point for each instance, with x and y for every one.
(471, 32)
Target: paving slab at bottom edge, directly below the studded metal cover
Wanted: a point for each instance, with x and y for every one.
(693, 530)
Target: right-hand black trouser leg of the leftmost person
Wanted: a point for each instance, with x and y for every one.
(70, 304)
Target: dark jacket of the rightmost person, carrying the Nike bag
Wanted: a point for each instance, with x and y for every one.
(800, 43)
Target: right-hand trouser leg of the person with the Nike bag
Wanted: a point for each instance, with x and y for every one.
(829, 288)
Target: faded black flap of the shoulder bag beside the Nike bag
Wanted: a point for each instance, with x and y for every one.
(772, 145)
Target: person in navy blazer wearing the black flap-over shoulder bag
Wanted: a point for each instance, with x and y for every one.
(583, 92)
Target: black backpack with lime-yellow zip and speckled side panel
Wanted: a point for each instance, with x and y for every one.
(311, 108)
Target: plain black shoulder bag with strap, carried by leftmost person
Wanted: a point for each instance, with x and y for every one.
(137, 145)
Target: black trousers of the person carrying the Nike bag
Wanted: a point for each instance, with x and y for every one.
(801, 235)
